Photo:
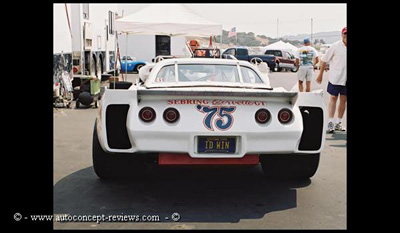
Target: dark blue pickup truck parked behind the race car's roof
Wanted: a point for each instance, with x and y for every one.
(243, 54)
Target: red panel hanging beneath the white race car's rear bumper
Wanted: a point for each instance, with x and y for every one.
(185, 159)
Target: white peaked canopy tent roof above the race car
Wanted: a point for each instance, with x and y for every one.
(167, 19)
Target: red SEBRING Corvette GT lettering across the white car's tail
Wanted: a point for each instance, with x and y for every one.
(217, 102)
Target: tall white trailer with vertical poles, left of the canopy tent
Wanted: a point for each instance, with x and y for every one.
(93, 42)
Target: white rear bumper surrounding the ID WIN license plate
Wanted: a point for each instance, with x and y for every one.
(246, 143)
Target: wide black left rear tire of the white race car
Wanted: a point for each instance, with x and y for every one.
(115, 165)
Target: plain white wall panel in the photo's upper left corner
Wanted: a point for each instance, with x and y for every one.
(61, 36)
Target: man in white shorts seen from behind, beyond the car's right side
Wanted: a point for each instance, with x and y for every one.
(306, 58)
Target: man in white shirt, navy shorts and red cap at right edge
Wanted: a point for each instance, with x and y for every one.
(337, 88)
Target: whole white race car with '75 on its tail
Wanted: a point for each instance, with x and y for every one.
(196, 111)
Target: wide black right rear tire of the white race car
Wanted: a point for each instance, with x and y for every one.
(289, 166)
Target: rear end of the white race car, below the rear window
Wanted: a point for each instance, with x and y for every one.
(211, 127)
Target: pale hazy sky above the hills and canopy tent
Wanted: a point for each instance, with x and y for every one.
(263, 18)
